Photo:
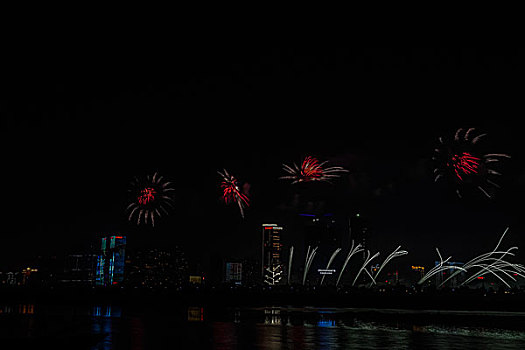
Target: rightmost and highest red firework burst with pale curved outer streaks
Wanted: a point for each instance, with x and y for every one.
(460, 161)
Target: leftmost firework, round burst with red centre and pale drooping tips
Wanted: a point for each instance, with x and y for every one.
(150, 198)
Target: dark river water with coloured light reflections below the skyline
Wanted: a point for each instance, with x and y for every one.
(111, 327)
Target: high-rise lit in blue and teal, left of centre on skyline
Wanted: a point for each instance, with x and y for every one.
(110, 262)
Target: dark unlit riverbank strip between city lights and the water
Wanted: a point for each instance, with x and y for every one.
(401, 298)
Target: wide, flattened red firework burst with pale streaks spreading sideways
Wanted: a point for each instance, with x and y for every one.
(311, 170)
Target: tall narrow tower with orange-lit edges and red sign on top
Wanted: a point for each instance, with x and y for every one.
(272, 262)
